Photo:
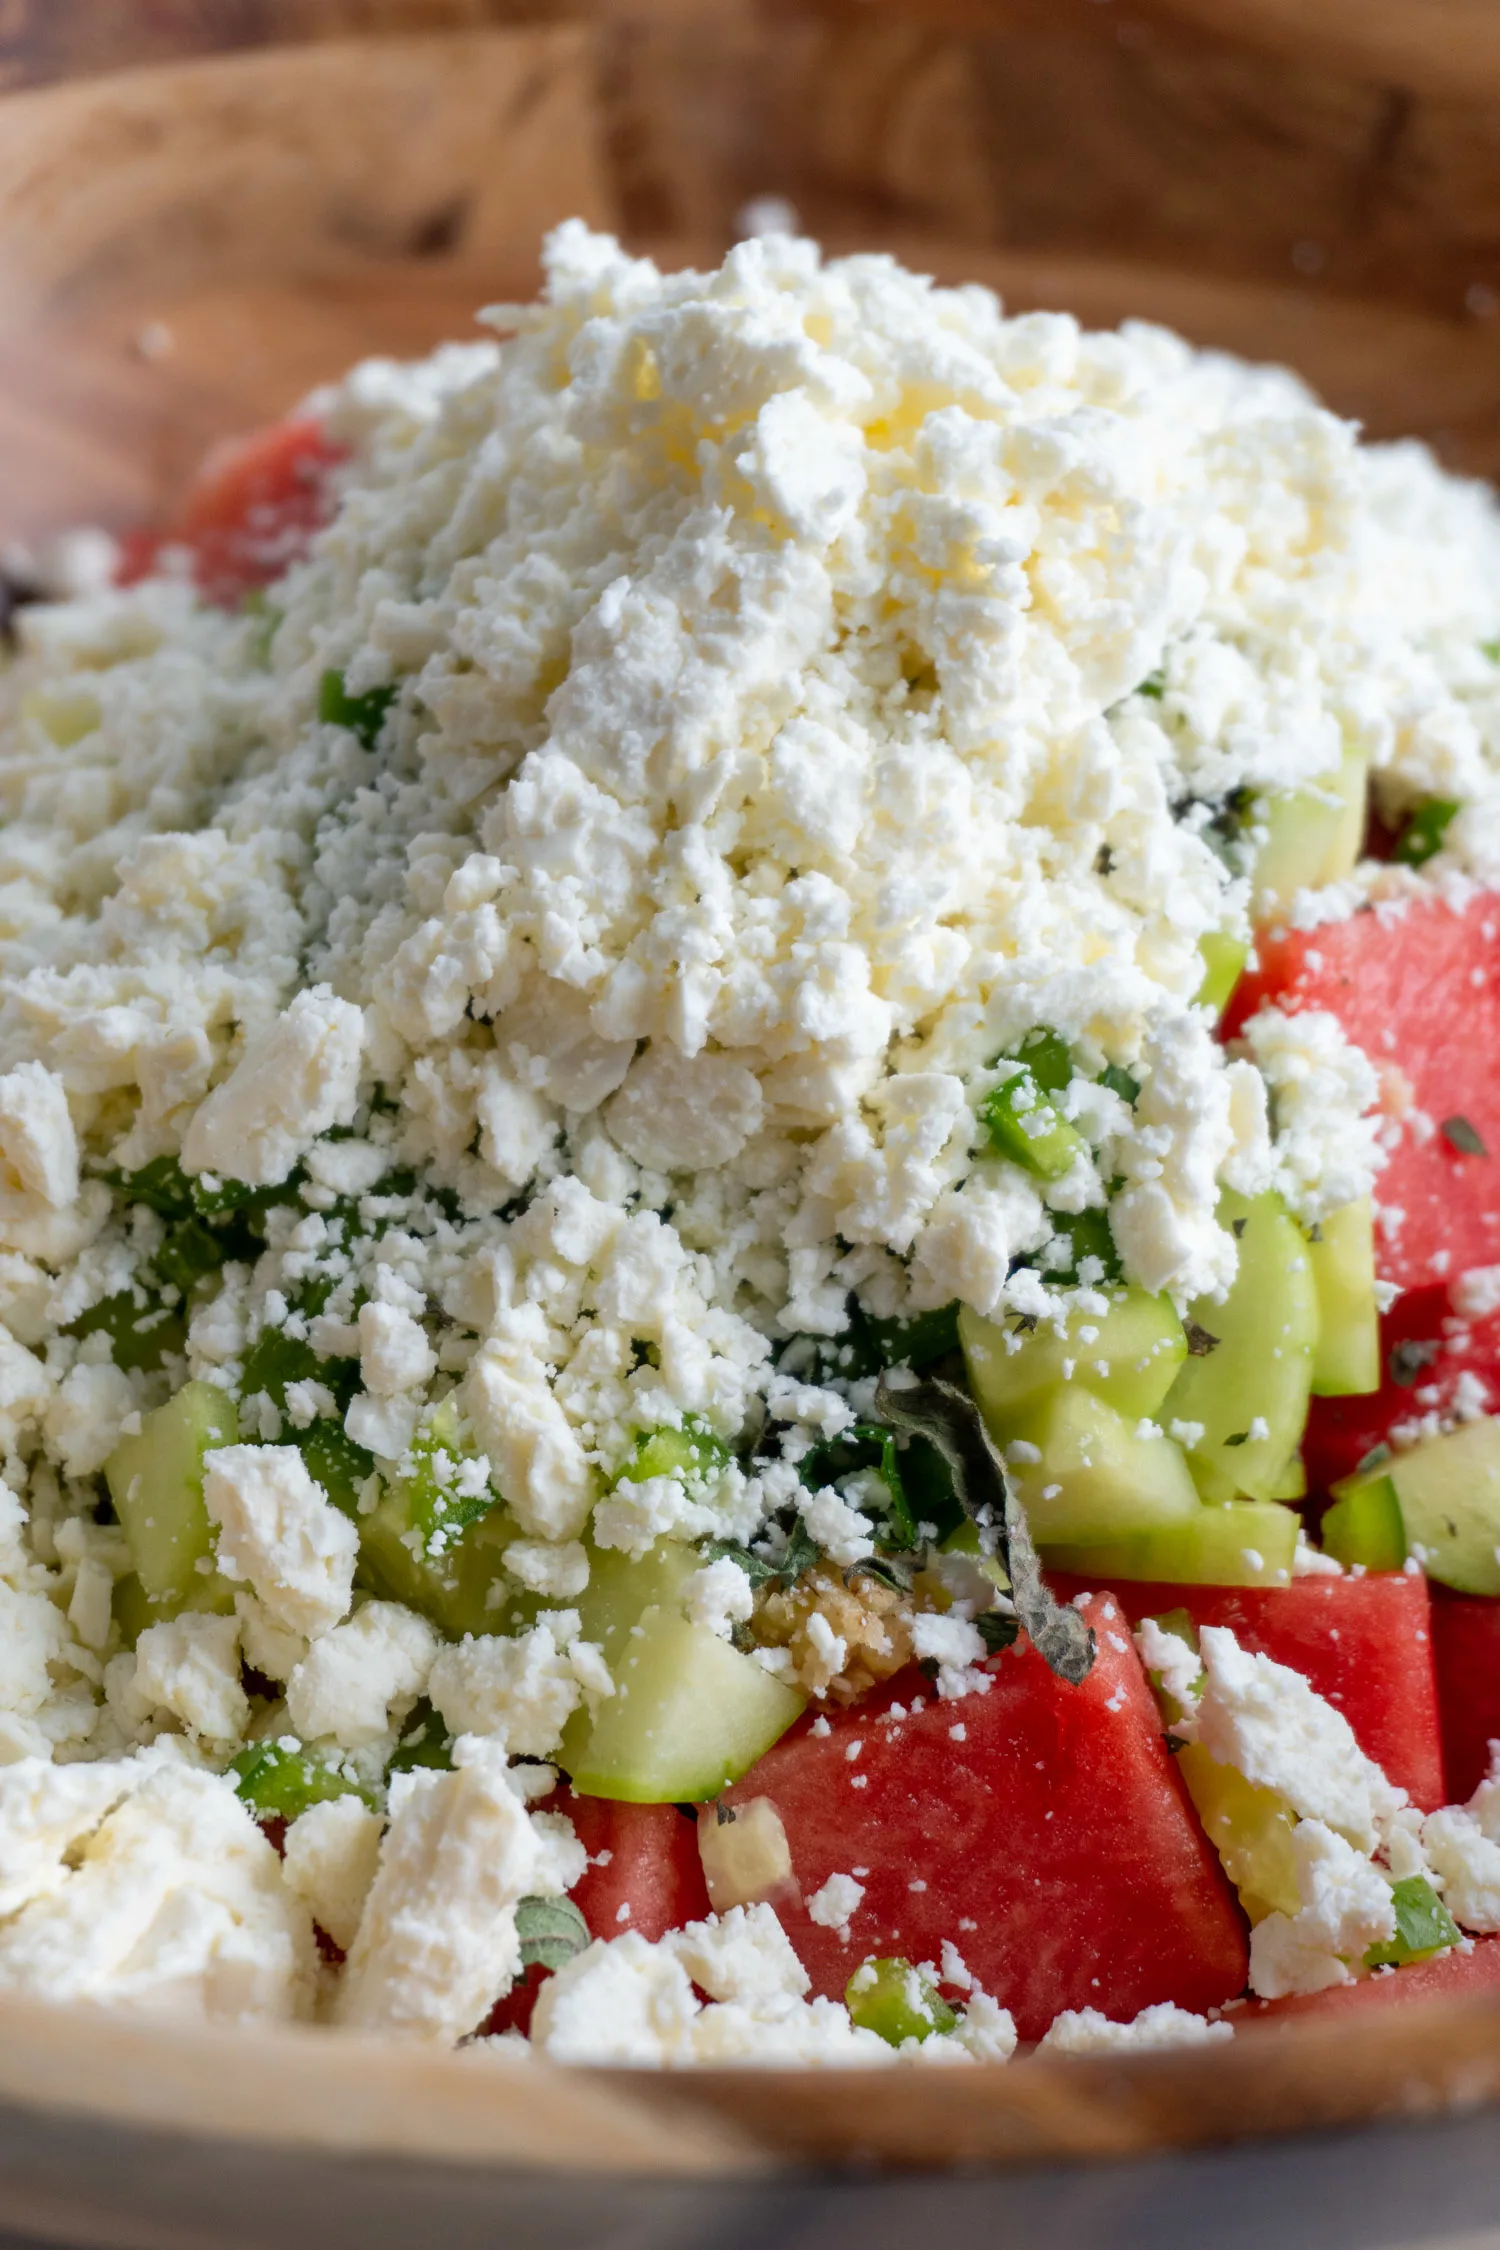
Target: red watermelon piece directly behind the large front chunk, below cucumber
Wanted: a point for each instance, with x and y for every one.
(1366, 1644)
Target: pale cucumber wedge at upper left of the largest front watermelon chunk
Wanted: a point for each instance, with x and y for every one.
(689, 1716)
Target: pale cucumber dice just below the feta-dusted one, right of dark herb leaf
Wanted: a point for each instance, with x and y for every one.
(1096, 1479)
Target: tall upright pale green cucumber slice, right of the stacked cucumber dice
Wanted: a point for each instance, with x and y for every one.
(1249, 1392)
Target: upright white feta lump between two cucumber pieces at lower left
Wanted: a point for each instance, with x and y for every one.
(280, 1533)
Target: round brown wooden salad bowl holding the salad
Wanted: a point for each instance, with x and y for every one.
(188, 242)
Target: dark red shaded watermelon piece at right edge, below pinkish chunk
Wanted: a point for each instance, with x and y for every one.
(1431, 1362)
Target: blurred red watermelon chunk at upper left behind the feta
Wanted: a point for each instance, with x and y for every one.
(251, 514)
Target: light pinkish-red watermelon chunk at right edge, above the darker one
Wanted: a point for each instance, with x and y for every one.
(1420, 991)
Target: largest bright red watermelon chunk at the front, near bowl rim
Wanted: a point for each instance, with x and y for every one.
(1040, 1828)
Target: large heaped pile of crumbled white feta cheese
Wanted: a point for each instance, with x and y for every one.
(793, 685)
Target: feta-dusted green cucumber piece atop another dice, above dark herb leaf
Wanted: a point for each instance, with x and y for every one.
(1128, 1358)
